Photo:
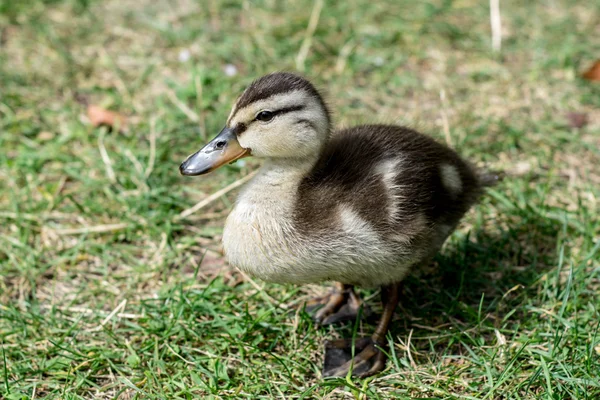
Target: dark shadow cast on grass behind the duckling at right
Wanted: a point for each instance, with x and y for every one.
(479, 282)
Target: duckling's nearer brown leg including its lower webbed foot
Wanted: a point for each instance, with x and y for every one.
(369, 358)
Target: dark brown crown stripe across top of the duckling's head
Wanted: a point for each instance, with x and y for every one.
(277, 83)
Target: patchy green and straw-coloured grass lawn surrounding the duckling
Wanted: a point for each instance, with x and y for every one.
(143, 306)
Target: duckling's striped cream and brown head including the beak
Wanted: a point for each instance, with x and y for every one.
(280, 115)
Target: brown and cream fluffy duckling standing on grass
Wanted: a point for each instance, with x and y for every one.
(360, 206)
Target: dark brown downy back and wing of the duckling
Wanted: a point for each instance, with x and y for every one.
(347, 172)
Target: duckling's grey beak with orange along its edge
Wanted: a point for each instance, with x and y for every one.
(223, 149)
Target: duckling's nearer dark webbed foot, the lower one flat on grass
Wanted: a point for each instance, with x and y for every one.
(368, 360)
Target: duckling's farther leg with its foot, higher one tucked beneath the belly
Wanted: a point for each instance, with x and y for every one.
(341, 305)
